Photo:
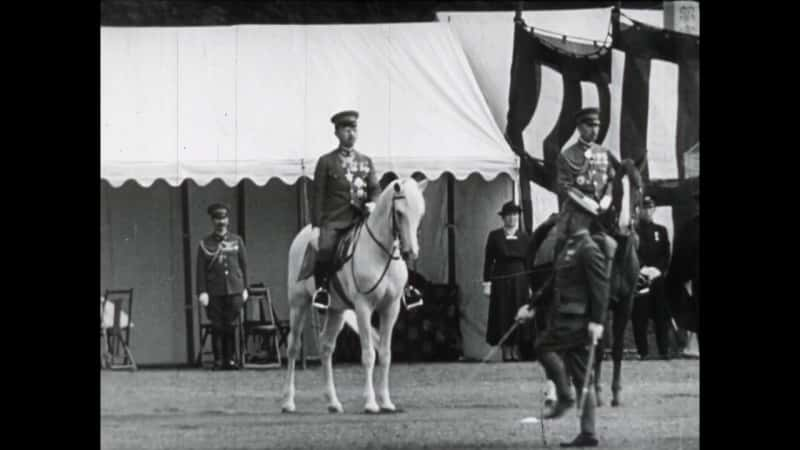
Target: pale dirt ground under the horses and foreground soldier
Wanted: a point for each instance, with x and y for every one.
(447, 405)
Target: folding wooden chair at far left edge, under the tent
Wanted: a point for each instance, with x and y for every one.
(117, 333)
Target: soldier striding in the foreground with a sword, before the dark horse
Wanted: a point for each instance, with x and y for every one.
(581, 287)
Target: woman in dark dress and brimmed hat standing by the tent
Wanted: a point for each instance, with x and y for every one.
(505, 279)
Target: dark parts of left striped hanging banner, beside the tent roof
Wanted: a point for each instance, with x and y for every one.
(575, 62)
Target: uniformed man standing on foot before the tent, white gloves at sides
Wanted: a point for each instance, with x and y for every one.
(222, 284)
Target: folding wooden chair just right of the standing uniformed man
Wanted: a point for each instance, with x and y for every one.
(260, 326)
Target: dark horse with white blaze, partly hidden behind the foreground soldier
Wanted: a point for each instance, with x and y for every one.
(624, 273)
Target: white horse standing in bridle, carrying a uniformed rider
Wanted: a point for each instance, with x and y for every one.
(373, 280)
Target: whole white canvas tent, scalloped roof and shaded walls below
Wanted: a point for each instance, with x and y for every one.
(251, 104)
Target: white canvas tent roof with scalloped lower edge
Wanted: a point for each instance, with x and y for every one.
(255, 102)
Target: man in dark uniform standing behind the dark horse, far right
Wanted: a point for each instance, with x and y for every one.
(651, 302)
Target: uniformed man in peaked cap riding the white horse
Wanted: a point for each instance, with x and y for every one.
(345, 190)
